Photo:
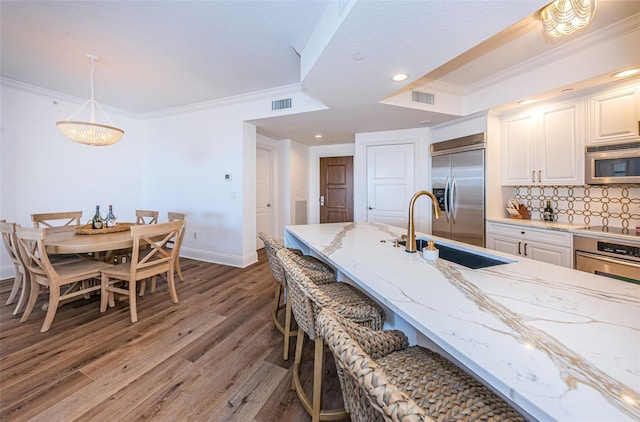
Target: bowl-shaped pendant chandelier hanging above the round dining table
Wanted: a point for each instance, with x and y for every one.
(90, 133)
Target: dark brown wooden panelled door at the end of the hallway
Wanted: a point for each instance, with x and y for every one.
(336, 189)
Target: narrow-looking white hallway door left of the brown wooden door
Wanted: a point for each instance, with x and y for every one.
(264, 201)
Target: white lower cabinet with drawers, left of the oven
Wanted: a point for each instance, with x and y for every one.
(551, 246)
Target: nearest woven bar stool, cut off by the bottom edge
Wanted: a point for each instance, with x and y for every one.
(386, 379)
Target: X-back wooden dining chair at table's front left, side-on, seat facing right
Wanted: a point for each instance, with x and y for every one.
(36, 261)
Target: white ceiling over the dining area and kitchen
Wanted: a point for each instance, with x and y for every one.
(159, 55)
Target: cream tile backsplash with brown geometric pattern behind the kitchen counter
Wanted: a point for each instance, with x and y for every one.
(591, 205)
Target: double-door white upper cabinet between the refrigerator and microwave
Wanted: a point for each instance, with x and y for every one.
(544, 146)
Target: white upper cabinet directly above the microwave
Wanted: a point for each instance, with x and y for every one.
(614, 116)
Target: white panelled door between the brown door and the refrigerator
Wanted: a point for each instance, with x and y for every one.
(390, 183)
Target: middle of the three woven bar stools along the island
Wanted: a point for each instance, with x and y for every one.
(307, 299)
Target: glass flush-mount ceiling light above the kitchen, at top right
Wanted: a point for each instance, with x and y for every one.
(564, 17)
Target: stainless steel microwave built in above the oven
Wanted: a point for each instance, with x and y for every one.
(613, 164)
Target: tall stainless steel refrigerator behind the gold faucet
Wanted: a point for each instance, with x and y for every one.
(457, 181)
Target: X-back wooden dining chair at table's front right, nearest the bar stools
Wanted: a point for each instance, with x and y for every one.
(150, 258)
